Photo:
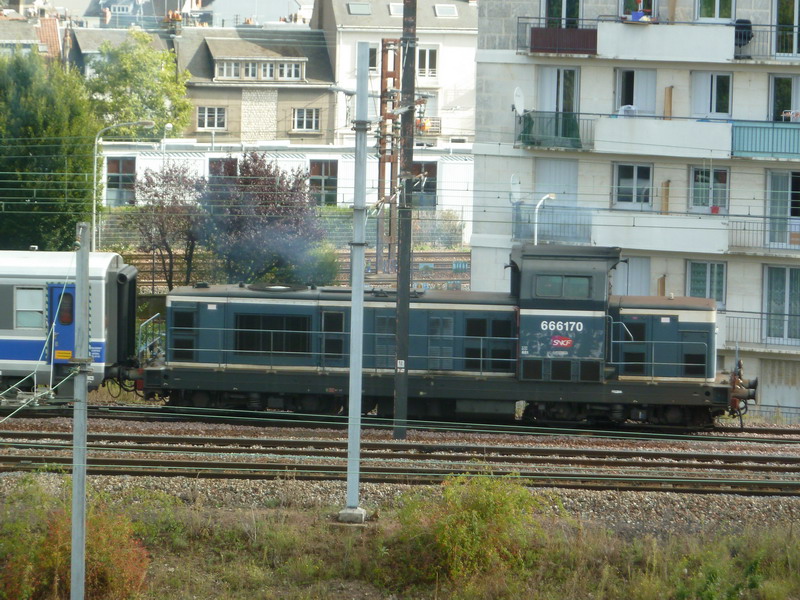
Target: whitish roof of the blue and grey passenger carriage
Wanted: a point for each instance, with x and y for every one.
(32, 264)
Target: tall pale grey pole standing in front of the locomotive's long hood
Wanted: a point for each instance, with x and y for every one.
(353, 513)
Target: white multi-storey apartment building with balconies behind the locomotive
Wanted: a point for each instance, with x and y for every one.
(669, 128)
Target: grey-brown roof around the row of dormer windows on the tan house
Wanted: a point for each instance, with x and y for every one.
(198, 47)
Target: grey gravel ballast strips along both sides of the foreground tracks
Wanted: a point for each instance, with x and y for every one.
(629, 514)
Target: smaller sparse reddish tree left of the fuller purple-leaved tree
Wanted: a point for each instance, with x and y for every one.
(167, 217)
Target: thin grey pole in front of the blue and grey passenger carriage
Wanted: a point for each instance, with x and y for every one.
(83, 363)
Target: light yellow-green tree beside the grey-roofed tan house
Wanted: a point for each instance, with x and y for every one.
(134, 81)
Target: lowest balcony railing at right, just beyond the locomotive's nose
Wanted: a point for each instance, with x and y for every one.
(762, 330)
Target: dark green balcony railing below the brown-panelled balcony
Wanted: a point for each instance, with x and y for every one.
(555, 130)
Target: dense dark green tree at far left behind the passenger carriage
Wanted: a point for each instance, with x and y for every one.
(47, 127)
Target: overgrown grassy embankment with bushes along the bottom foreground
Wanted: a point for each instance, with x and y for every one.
(473, 538)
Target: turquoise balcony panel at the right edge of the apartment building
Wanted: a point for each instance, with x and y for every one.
(766, 139)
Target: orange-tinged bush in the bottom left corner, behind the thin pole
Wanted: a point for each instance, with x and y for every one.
(35, 547)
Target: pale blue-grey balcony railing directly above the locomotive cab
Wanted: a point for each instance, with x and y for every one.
(552, 224)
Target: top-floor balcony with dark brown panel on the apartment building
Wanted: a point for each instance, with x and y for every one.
(556, 36)
